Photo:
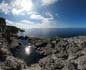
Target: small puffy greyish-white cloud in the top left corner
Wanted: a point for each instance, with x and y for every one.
(4, 7)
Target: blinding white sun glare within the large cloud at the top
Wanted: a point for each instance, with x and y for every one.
(22, 5)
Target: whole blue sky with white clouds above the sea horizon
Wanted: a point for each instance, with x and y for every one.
(27, 14)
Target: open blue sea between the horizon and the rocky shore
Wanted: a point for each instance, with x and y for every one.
(56, 32)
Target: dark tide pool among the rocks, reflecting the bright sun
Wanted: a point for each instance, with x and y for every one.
(26, 51)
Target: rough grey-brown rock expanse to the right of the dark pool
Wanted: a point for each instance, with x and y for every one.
(62, 53)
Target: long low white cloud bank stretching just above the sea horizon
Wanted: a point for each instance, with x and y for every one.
(26, 24)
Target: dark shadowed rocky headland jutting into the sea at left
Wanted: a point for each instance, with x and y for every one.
(9, 30)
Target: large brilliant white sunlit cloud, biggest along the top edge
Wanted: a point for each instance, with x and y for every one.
(20, 6)
